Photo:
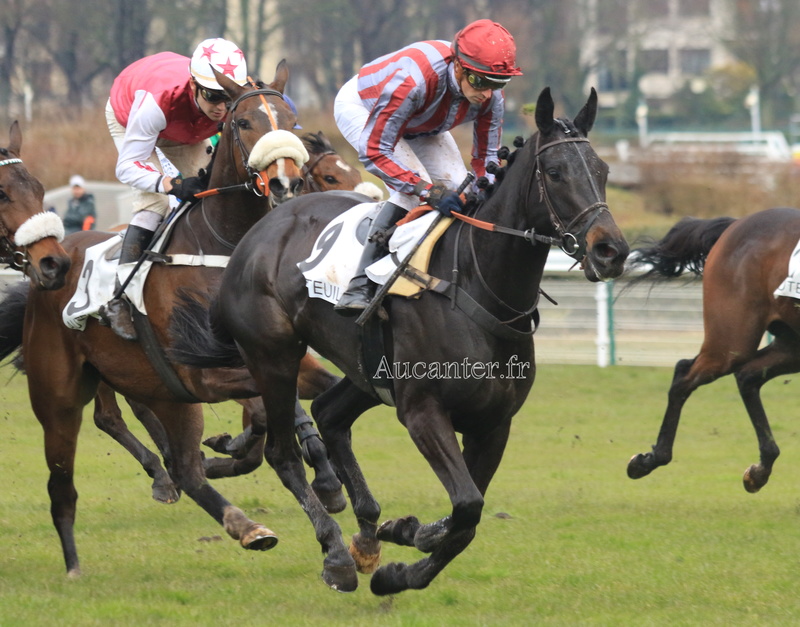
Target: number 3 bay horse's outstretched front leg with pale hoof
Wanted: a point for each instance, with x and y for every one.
(184, 428)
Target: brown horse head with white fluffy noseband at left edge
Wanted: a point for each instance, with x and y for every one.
(29, 236)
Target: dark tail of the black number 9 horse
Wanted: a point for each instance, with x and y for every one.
(196, 340)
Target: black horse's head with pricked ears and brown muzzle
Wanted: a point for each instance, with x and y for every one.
(570, 178)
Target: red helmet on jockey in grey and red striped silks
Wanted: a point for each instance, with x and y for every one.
(486, 47)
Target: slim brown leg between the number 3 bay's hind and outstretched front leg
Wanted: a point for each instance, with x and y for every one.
(108, 418)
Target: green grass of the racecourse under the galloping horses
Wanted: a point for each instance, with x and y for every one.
(582, 543)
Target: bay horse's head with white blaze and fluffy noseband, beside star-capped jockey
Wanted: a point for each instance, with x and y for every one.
(271, 167)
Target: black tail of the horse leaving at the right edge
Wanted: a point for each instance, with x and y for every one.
(684, 248)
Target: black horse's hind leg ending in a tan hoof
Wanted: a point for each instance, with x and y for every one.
(335, 412)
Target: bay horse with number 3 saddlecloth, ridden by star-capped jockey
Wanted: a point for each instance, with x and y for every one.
(65, 367)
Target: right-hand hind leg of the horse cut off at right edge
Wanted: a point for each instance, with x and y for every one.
(779, 358)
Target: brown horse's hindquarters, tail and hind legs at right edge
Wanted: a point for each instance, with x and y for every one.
(742, 262)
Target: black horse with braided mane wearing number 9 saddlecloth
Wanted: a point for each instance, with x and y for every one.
(553, 192)
